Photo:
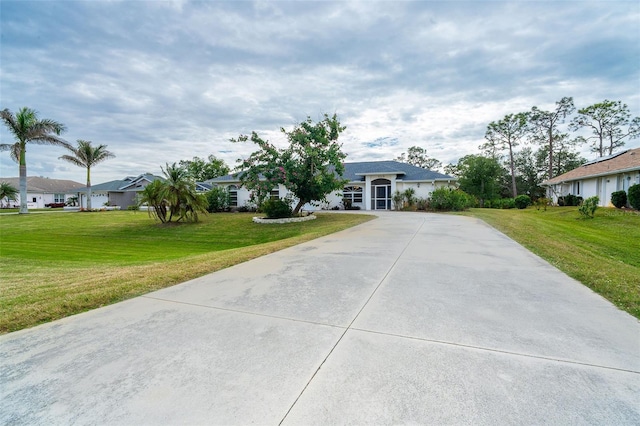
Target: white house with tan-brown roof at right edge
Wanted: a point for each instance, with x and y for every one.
(599, 177)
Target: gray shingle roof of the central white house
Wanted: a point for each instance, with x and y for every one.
(355, 172)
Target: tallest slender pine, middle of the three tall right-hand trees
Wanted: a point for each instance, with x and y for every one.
(544, 127)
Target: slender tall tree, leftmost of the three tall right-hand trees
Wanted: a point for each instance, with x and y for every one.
(506, 134)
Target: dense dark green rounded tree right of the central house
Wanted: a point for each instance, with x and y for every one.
(479, 176)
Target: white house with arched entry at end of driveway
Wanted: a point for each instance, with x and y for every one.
(370, 186)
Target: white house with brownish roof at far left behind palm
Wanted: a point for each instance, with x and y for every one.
(42, 191)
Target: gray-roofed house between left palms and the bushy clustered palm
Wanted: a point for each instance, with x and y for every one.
(116, 192)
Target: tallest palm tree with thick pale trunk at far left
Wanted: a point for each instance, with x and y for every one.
(27, 128)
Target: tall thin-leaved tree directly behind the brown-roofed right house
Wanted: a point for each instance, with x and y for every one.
(607, 121)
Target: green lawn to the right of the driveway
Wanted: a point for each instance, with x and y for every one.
(603, 253)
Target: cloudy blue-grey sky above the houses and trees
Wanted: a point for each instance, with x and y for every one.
(161, 81)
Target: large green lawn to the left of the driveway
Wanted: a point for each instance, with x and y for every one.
(56, 265)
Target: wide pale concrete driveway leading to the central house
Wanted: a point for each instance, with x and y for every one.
(407, 319)
